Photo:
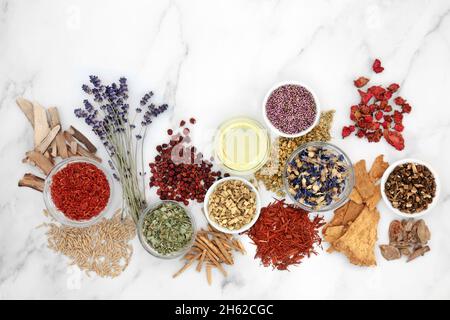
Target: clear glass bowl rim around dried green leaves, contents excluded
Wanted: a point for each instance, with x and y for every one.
(148, 247)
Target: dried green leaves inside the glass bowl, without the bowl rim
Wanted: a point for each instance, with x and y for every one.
(168, 228)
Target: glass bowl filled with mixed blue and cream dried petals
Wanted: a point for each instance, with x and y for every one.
(318, 177)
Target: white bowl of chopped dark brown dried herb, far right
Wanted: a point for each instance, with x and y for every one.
(410, 188)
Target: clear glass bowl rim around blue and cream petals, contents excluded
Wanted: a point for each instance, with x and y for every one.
(349, 184)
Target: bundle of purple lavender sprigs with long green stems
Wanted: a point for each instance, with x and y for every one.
(121, 134)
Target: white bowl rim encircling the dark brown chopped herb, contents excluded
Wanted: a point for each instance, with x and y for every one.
(388, 203)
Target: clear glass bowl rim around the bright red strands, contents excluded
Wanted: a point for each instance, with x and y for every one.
(57, 214)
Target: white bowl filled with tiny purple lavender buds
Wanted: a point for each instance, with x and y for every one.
(291, 109)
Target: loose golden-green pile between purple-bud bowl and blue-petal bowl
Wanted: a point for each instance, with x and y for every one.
(272, 173)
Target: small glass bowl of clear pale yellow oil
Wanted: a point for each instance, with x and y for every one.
(242, 146)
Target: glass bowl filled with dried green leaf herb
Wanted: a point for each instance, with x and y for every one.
(166, 229)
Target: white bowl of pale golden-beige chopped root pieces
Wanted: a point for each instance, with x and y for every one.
(232, 205)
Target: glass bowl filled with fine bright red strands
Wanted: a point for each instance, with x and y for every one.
(78, 192)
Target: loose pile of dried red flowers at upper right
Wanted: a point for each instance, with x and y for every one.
(374, 117)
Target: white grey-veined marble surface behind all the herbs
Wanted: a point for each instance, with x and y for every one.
(213, 60)
